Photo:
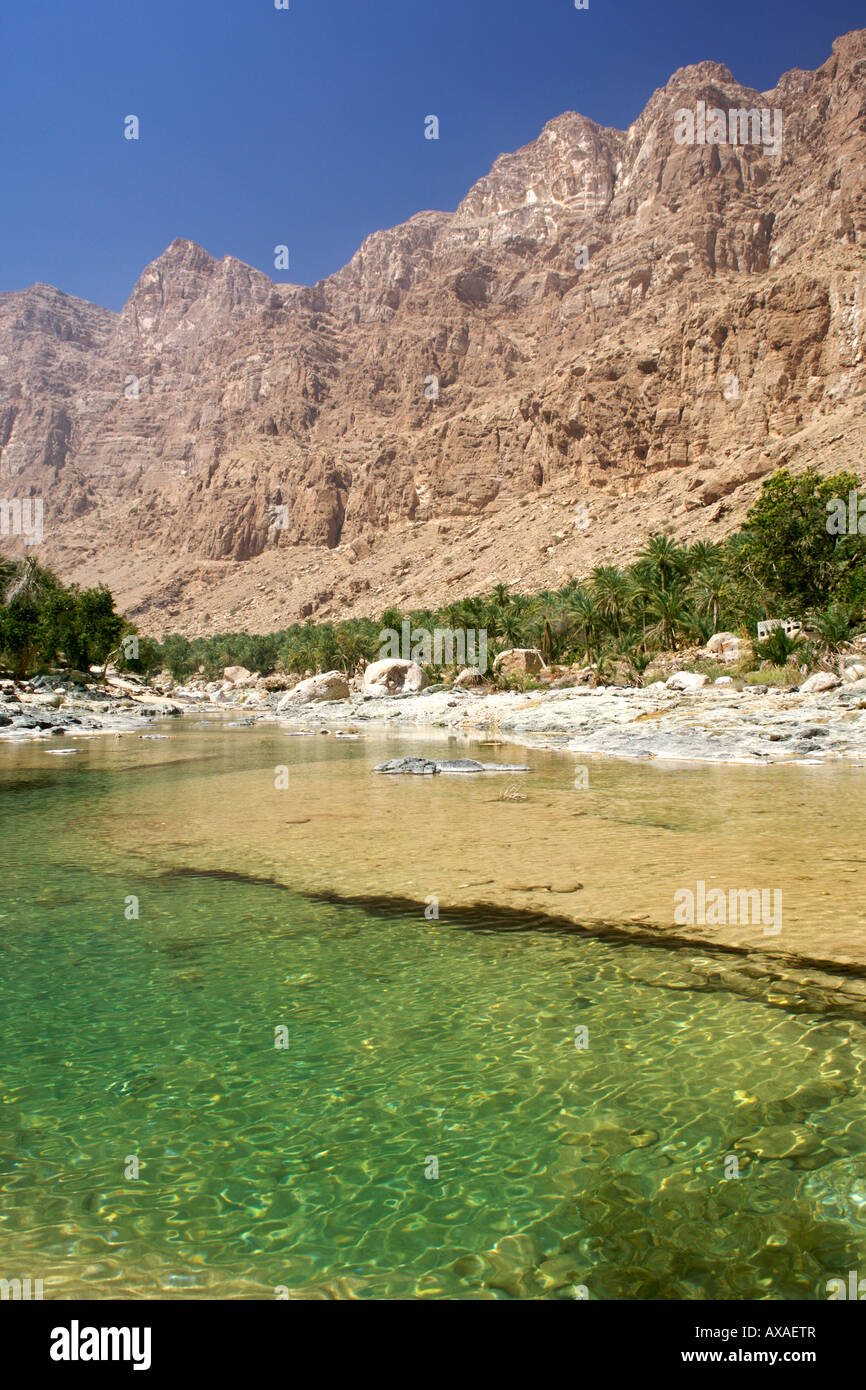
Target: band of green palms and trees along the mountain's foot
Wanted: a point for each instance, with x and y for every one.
(786, 562)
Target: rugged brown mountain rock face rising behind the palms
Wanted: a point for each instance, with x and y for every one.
(612, 333)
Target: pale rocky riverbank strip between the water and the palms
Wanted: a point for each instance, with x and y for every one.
(714, 723)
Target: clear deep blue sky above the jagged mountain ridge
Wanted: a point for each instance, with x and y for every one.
(305, 127)
